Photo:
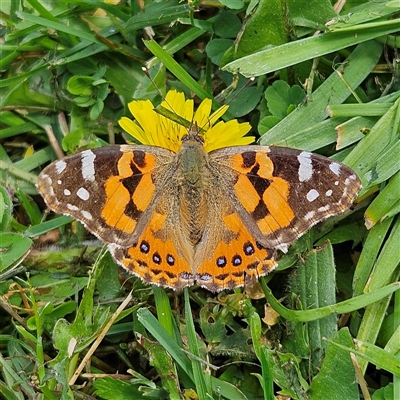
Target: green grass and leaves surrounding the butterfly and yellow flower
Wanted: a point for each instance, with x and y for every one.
(326, 324)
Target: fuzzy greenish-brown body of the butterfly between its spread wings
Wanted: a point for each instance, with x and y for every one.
(192, 186)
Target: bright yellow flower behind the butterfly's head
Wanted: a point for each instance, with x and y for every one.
(154, 129)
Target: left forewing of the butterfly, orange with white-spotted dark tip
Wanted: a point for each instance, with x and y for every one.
(110, 189)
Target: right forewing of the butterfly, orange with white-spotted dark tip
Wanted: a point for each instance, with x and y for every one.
(282, 192)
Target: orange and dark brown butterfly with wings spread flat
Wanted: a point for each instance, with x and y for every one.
(179, 218)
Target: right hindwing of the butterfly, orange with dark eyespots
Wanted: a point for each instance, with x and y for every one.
(229, 255)
